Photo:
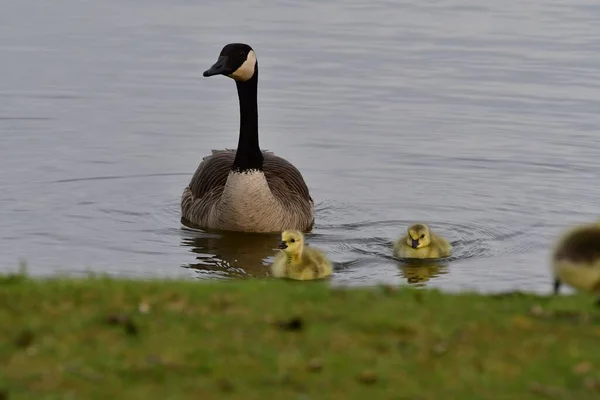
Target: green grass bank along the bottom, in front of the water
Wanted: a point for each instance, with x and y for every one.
(116, 339)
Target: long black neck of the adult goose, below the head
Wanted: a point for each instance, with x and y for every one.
(248, 154)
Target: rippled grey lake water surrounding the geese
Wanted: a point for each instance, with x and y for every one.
(480, 118)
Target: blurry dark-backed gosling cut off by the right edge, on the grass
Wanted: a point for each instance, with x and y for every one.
(576, 259)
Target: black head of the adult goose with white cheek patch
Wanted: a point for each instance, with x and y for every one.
(237, 61)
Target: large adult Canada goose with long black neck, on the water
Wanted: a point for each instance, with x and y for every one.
(247, 190)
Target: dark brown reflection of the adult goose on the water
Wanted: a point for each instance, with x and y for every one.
(230, 254)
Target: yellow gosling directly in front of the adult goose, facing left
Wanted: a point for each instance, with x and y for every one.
(296, 261)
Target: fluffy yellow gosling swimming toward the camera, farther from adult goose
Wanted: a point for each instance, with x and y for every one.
(420, 242)
